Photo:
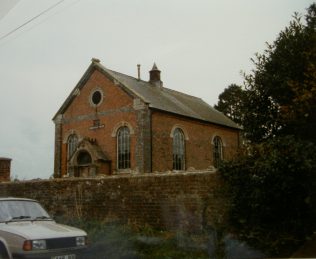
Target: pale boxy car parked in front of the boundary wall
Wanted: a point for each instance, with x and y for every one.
(28, 231)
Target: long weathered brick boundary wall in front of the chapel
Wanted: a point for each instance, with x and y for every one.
(172, 201)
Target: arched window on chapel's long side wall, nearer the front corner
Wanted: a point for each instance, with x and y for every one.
(178, 150)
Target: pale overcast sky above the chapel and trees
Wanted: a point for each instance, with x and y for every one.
(200, 46)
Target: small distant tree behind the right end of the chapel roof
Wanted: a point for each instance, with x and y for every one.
(230, 103)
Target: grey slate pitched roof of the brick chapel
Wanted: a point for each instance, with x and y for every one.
(156, 97)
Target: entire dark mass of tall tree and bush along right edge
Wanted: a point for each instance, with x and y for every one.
(272, 185)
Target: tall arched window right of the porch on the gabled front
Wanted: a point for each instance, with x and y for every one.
(123, 148)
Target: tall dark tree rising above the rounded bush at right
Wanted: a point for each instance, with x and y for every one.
(281, 90)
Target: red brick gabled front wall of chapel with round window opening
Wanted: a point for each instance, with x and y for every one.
(117, 106)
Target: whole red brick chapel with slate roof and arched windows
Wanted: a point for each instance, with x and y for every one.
(113, 123)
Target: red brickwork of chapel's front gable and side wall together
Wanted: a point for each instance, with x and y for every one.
(150, 151)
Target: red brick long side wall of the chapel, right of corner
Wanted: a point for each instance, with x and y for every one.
(198, 146)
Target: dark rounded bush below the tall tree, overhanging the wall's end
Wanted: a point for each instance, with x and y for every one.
(272, 192)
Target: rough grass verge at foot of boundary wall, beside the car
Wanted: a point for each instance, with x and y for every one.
(130, 241)
